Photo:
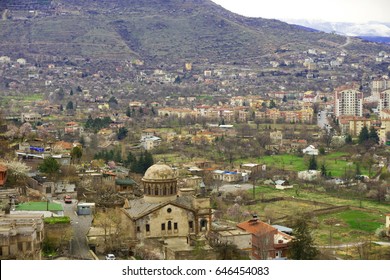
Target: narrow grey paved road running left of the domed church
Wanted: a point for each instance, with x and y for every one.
(78, 248)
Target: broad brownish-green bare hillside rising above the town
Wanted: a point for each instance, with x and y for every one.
(157, 31)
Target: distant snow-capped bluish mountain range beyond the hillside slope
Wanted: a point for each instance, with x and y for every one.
(371, 31)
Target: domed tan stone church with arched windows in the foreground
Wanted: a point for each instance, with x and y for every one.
(165, 212)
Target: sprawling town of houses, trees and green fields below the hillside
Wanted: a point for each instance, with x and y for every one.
(193, 159)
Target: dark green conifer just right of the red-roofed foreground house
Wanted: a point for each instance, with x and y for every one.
(302, 246)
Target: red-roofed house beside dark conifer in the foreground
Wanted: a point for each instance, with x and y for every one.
(267, 241)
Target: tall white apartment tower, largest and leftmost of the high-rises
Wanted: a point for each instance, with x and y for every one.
(348, 102)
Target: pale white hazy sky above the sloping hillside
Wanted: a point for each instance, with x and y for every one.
(328, 10)
